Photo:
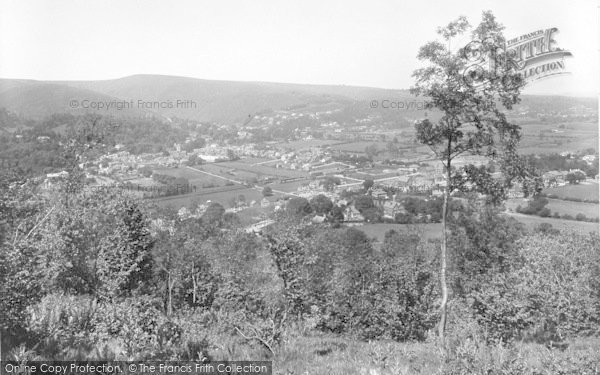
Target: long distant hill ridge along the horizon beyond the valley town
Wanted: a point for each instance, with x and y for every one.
(221, 101)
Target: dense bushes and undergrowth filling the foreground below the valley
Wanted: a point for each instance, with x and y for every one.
(91, 276)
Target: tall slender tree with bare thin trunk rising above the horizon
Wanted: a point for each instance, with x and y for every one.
(472, 118)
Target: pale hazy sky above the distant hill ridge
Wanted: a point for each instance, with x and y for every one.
(365, 43)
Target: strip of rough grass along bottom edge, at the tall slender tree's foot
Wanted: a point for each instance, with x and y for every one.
(330, 354)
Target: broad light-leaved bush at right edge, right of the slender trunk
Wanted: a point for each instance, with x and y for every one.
(549, 294)
